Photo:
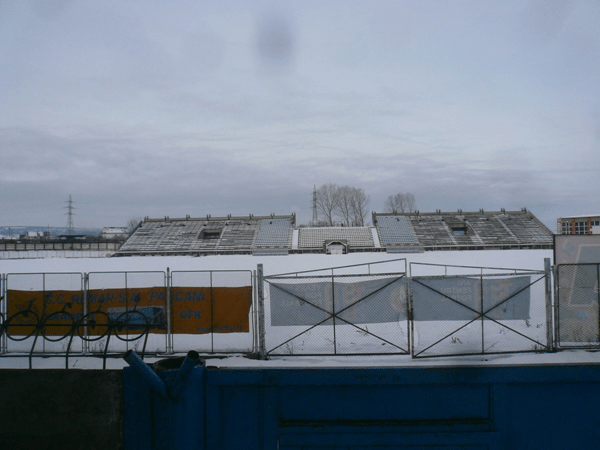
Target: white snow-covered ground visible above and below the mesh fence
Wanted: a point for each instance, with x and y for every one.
(430, 263)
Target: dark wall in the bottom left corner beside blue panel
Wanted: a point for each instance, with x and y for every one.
(61, 409)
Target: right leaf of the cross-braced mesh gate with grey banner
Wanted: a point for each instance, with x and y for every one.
(479, 314)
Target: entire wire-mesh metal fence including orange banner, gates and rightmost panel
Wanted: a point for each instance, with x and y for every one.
(363, 309)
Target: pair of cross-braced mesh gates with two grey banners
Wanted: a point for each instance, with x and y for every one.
(463, 311)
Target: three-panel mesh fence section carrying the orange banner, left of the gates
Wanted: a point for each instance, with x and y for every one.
(107, 313)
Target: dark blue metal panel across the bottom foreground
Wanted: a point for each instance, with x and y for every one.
(493, 407)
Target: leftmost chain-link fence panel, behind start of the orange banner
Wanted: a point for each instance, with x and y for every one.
(41, 312)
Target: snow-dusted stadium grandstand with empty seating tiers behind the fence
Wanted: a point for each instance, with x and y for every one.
(392, 233)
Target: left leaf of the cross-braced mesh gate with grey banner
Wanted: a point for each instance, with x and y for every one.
(336, 314)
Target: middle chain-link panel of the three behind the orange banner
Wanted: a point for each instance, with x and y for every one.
(126, 311)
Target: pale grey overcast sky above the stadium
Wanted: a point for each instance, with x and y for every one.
(155, 108)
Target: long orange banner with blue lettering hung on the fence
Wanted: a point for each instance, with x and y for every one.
(193, 310)
